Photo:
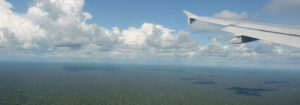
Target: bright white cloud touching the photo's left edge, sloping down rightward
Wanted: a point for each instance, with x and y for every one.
(22, 30)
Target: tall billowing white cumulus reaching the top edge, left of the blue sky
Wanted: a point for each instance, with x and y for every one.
(66, 25)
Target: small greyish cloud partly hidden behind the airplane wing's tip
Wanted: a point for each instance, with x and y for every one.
(200, 26)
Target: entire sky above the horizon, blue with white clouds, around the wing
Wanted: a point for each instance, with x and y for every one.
(141, 32)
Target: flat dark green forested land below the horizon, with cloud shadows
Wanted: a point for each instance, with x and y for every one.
(98, 84)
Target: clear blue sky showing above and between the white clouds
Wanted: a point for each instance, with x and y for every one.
(123, 14)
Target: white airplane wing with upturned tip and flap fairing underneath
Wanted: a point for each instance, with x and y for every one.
(249, 31)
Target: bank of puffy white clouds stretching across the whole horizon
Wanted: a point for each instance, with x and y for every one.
(58, 28)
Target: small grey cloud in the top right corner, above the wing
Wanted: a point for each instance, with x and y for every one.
(276, 6)
